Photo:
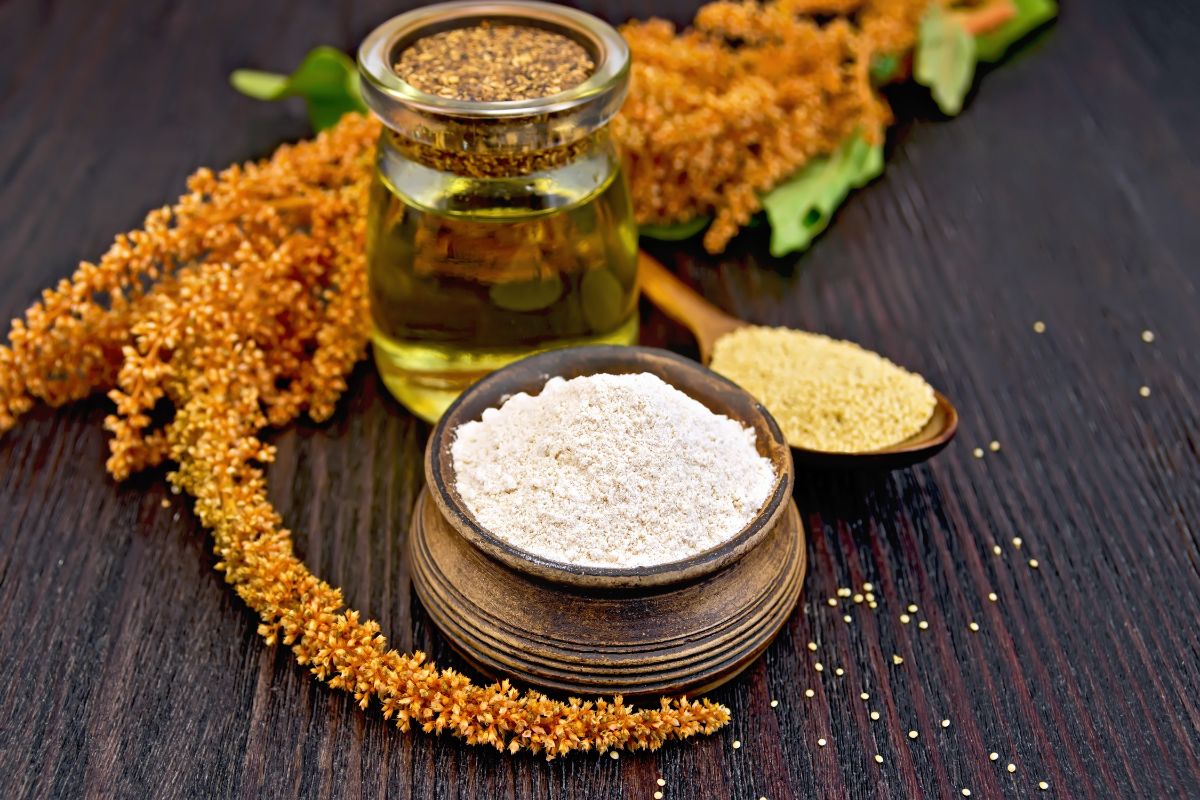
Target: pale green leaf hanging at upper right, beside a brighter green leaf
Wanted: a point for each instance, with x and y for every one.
(945, 59)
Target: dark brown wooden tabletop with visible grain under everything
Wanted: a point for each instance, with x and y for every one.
(1067, 193)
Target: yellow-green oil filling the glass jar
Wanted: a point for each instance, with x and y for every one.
(469, 275)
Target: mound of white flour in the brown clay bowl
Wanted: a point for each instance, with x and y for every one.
(610, 471)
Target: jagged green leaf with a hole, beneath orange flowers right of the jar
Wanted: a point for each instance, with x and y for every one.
(801, 208)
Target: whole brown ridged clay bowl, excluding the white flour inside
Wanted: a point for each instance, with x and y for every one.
(679, 628)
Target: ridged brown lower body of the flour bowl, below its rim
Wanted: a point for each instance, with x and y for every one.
(671, 640)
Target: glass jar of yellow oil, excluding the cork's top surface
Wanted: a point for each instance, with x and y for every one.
(496, 230)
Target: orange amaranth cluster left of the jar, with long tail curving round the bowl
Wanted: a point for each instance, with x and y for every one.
(243, 306)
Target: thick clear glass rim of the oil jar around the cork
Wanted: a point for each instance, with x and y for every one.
(475, 127)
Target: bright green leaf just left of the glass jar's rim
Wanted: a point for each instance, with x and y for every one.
(327, 80)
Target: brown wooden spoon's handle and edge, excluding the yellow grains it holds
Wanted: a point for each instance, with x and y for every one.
(710, 323)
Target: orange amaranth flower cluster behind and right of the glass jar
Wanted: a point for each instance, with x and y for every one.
(742, 100)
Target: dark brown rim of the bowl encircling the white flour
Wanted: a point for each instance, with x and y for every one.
(495, 389)
